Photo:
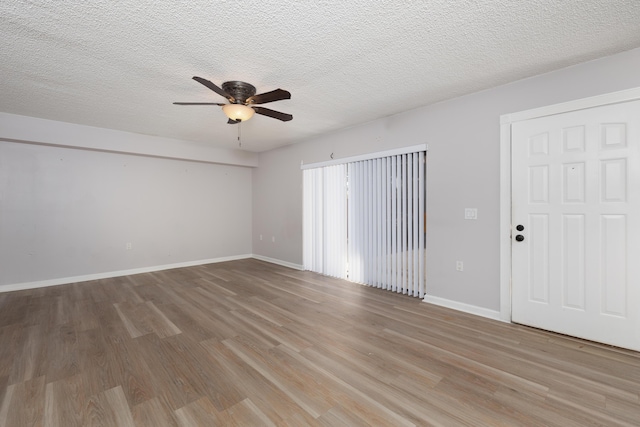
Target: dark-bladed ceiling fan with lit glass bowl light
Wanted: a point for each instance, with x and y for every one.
(242, 99)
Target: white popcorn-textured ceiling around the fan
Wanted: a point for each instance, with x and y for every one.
(121, 64)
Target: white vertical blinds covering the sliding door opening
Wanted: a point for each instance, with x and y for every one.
(365, 221)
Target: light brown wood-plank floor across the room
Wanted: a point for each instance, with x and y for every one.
(248, 343)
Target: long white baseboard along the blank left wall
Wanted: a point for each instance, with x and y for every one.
(109, 274)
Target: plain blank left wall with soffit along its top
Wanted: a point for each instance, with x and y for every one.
(68, 212)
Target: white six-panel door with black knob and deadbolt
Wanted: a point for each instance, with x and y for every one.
(576, 198)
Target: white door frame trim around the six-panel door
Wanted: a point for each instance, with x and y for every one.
(506, 120)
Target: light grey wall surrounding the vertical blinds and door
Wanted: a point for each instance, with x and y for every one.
(462, 171)
